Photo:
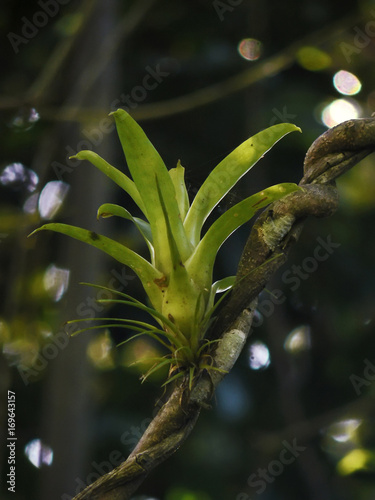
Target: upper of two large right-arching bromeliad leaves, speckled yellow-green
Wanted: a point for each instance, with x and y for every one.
(227, 173)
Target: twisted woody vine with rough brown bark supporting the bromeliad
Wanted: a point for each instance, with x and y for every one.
(276, 230)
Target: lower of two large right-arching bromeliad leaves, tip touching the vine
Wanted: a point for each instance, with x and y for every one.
(200, 265)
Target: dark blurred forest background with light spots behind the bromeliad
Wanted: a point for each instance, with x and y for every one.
(78, 400)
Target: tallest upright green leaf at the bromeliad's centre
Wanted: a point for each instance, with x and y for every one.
(148, 170)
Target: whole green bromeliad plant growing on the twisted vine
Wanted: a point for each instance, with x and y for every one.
(178, 277)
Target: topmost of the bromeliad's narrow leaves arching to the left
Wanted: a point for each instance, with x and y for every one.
(114, 174)
